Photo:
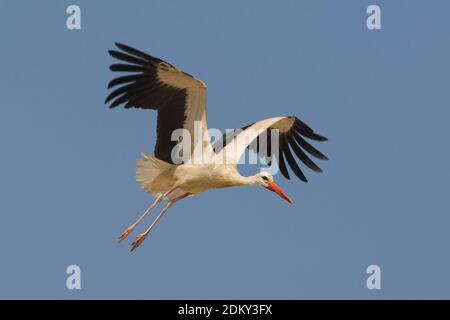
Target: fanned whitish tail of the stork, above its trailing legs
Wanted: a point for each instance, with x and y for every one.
(153, 174)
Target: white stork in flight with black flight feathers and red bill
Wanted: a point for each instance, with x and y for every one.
(180, 100)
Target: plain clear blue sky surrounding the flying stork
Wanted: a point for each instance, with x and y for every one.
(67, 186)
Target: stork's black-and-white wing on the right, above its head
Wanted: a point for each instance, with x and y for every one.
(257, 137)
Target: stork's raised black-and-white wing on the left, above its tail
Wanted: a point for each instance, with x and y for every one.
(151, 83)
